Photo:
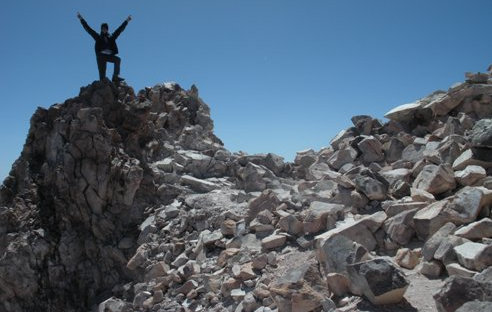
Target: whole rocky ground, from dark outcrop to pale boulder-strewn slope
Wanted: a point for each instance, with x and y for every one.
(128, 202)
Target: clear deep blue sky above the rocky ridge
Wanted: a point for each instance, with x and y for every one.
(279, 75)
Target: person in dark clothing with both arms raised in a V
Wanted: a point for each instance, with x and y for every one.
(106, 48)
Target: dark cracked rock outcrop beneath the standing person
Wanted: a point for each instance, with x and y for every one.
(79, 188)
